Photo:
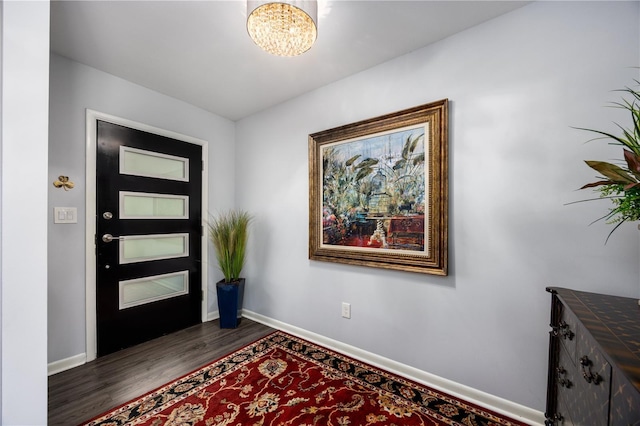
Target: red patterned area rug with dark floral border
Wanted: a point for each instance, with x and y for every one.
(283, 380)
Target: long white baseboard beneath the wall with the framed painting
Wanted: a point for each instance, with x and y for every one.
(474, 396)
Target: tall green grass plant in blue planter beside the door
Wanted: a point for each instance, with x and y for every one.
(228, 233)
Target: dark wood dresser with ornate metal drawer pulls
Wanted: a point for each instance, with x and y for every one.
(594, 360)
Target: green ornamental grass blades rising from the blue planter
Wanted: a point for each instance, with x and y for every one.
(228, 233)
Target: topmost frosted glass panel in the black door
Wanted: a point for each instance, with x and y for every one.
(139, 162)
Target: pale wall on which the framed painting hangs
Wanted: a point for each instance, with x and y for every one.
(516, 86)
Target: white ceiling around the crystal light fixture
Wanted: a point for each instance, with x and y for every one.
(200, 52)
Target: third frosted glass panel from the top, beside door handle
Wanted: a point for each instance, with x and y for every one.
(141, 248)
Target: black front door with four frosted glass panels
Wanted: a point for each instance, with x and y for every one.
(148, 236)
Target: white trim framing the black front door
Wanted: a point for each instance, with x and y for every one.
(90, 208)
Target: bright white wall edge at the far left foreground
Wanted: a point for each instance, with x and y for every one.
(25, 89)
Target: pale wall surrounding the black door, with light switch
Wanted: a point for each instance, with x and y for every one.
(75, 87)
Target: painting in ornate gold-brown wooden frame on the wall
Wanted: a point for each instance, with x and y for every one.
(378, 191)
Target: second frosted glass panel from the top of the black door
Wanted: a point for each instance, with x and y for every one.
(142, 205)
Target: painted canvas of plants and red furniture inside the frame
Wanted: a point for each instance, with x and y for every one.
(373, 191)
